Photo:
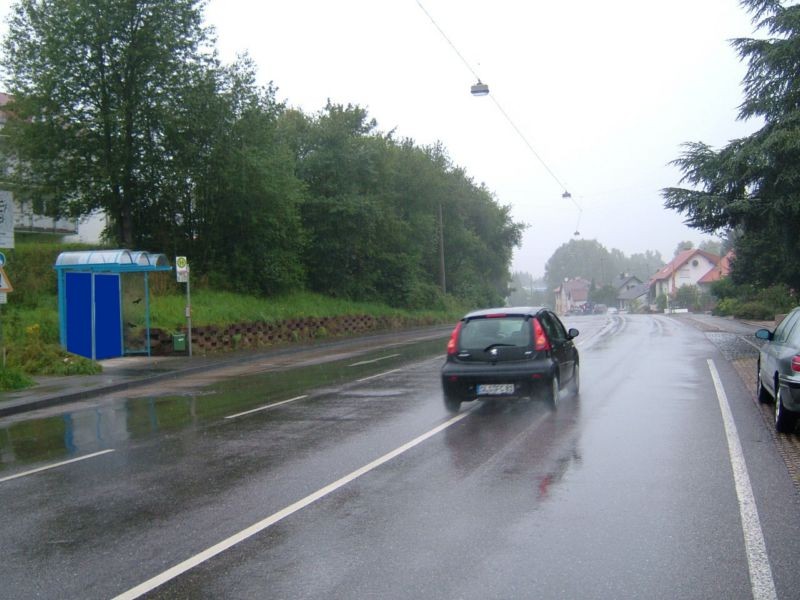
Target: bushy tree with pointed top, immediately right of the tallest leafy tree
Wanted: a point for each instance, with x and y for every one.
(245, 199)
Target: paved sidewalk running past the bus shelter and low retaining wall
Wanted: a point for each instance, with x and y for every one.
(133, 371)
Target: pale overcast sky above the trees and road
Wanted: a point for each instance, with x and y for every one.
(604, 92)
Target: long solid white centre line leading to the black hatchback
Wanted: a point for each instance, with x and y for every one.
(228, 543)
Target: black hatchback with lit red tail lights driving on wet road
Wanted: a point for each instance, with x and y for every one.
(509, 353)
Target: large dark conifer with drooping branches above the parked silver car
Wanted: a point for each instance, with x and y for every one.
(752, 185)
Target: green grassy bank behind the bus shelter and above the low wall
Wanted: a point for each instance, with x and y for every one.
(30, 325)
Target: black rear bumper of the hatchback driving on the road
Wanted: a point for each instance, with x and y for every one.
(461, 381)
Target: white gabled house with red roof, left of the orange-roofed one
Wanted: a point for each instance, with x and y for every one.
(689, 267)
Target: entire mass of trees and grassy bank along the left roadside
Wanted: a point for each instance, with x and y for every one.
(281, 213)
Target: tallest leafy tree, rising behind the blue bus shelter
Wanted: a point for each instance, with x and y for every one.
(97, 86)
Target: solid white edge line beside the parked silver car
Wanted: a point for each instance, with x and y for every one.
(761, 580)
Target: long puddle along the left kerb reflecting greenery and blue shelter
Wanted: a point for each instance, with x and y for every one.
(92, 429)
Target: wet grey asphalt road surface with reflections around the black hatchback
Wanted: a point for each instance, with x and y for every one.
(624, 492)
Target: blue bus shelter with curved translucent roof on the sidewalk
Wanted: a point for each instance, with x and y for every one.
(104, 301)
